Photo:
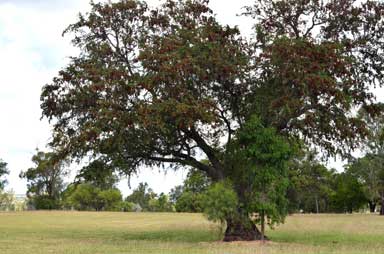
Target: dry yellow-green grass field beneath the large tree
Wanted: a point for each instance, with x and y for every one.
(111, 233)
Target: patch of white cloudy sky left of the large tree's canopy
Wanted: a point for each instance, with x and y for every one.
(31, 50)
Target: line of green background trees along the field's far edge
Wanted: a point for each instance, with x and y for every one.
(313, 188)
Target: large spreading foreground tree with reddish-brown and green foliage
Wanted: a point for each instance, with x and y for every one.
(170, 85)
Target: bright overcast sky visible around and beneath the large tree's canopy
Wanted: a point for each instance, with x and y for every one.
(32, 51)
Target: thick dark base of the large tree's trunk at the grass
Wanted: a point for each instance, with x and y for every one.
(242, 229)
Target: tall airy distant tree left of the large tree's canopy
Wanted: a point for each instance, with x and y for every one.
(45, 180)
